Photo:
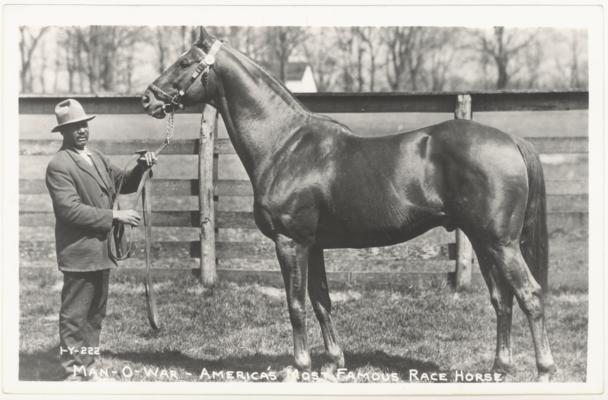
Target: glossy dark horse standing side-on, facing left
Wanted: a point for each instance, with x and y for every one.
(318, 186)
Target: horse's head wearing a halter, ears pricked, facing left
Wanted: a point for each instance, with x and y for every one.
(190, 80)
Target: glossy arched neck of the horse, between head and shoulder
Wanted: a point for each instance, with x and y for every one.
(259, 113)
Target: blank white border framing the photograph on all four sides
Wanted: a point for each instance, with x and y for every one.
(590, 16)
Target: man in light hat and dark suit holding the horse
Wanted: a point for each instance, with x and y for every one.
(82, 183)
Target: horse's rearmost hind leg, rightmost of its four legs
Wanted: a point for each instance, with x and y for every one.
(509, 260)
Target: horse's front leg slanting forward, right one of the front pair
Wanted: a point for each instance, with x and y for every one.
(321, 303)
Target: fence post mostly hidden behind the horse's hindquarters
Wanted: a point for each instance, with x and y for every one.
(464, 250)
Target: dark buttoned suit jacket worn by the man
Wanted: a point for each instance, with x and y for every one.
(82, 200)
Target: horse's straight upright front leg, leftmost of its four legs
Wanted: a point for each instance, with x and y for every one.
(293, 258)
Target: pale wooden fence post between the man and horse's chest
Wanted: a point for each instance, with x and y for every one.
(205, 196)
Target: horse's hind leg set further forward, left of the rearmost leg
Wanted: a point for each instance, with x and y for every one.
(501, 296)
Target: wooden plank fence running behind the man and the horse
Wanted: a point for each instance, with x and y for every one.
(199, 209)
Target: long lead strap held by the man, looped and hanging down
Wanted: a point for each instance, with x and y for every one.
(118, 229)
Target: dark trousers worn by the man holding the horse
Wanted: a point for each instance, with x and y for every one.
(83, 307)
